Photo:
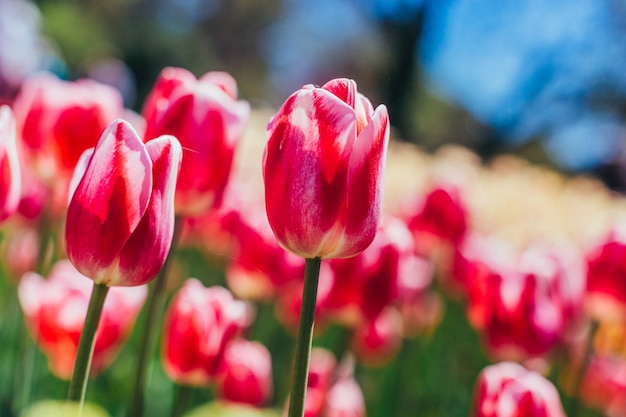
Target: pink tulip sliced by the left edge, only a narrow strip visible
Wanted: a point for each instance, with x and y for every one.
(10, 179)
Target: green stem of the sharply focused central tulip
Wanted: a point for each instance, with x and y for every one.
(305, 338)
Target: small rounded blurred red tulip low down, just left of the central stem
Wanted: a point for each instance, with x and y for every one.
(245, 374)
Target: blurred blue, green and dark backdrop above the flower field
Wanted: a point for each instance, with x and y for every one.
(542, 78)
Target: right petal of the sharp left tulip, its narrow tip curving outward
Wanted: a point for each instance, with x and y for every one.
(151, 241)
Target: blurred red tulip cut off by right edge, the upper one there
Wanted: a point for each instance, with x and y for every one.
(606, 278)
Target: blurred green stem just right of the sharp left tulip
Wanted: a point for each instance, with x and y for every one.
(154, 311)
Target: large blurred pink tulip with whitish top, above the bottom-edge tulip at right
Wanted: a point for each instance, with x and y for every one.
(528, 305)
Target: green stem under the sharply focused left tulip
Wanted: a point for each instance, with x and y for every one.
(78, 384)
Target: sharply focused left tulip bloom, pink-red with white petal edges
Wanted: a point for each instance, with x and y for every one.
(120, 218)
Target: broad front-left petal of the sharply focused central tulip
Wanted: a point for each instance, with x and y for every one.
(305, 168)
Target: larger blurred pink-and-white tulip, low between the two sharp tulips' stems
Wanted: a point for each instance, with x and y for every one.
(199, 323)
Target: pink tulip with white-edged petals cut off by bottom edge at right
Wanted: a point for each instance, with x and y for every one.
(509, 390)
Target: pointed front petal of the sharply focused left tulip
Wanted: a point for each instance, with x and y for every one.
(109, 201)
